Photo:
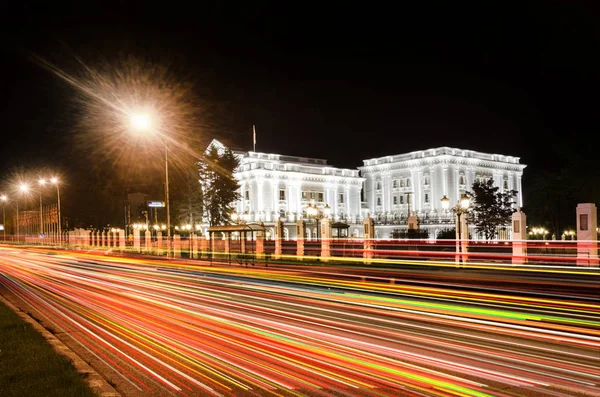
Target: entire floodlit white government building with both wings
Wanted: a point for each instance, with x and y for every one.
(279, 186)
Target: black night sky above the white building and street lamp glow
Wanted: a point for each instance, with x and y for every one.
(340, 82)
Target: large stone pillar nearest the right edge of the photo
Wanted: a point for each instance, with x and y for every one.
(587, 235)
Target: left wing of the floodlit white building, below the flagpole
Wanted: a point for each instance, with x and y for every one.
(279, 186)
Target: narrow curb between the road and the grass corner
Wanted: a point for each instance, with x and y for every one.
(96, 382)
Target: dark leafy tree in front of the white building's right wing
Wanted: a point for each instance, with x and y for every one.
(490, 208)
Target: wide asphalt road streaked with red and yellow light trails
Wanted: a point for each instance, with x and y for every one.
(159, 328)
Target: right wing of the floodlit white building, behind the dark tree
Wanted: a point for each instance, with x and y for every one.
(420, 179)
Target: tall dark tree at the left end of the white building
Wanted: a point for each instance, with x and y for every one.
(219, 187)
